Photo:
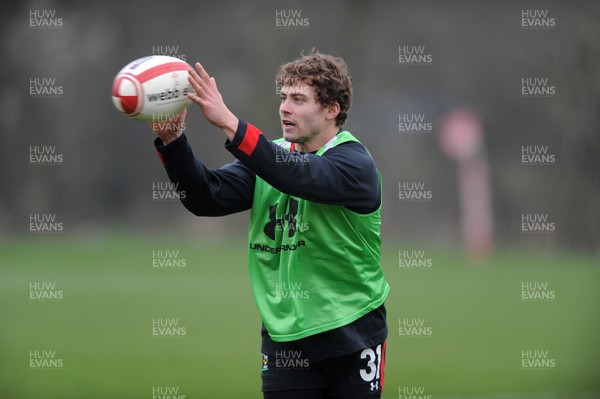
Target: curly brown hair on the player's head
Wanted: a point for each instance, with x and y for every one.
(327, 74)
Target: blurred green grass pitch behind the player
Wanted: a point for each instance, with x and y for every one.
(101, 330)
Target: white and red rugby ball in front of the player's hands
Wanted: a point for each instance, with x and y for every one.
(152, 89)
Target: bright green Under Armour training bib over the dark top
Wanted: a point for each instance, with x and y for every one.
(313, 267)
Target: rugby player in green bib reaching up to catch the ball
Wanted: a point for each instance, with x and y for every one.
(314, 197)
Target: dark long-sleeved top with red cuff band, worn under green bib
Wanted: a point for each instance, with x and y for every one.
(345, 175)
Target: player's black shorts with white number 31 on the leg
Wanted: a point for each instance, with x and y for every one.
(288, 375)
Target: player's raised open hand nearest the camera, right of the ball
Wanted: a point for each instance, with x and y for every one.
(211, 102)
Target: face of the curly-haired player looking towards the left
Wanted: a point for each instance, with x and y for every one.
(302, 117)
